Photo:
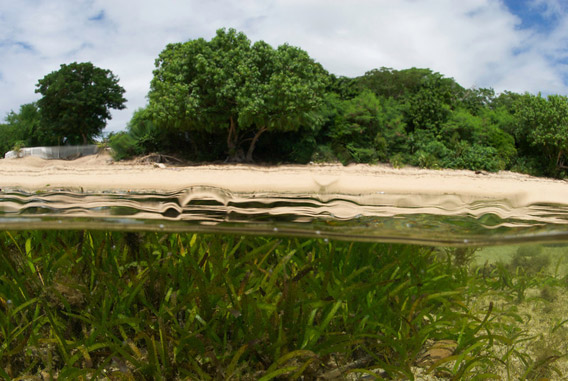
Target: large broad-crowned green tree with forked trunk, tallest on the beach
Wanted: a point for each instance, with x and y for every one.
(228, 84)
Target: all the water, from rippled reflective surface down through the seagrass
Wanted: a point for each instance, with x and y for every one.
(206, 284)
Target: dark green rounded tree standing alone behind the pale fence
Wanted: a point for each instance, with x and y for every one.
(76, 101)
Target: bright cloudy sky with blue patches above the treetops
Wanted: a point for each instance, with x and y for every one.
(514, 45)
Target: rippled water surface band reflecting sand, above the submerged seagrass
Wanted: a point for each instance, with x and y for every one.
(423, 219)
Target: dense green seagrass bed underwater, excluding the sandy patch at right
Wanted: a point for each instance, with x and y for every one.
(187, 305)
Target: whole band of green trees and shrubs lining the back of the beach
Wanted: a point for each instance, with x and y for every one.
(228, 99)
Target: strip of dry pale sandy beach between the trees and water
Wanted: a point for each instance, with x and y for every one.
(100, 173)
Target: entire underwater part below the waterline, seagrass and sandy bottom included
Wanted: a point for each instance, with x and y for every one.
(96, 304)
